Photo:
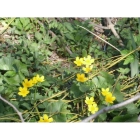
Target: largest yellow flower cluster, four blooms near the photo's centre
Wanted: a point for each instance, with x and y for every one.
(86, 62)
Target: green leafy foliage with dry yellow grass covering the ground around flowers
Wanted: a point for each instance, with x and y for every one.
(39, 46)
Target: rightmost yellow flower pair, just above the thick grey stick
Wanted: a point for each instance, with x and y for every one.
(109, 98)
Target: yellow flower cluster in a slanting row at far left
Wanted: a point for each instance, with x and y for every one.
(23, 91)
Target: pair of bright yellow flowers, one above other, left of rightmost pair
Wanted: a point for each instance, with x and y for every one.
(92, 106)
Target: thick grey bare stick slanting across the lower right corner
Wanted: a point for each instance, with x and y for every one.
(106, 109)
